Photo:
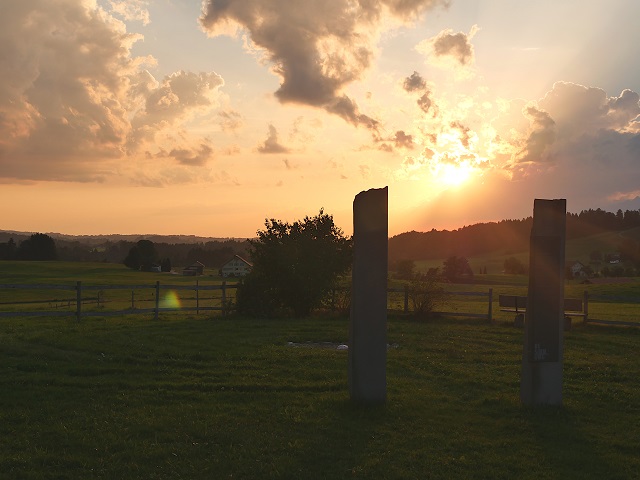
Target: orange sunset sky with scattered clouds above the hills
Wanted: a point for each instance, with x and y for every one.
(208, 117)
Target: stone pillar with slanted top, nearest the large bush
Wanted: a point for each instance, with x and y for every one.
(368, 320)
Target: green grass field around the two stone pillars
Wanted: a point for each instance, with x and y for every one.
(190, 397)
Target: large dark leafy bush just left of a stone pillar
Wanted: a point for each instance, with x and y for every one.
(294, 266)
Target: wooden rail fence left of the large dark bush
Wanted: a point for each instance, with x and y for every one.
(81, 300)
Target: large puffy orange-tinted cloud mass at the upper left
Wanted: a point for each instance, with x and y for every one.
(73, 99)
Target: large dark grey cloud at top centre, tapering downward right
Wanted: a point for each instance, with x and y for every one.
(316, 48)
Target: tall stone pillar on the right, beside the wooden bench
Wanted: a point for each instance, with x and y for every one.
(542, 358)
